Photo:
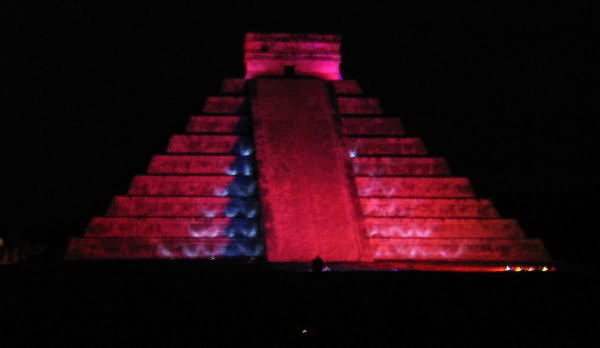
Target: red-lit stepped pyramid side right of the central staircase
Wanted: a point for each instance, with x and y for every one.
(413, 208)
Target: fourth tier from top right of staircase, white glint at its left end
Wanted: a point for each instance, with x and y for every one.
(359, 146)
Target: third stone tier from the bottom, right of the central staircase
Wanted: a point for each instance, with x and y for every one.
(428, 207)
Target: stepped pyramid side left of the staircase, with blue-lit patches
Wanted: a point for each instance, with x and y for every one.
(197, 200)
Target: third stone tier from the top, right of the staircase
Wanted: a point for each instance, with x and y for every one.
(372, 126)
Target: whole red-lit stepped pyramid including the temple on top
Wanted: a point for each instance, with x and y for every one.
(293, 163)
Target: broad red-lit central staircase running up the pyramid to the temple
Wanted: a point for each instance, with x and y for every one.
(308, 206)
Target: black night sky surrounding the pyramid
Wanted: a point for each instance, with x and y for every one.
(501, 91)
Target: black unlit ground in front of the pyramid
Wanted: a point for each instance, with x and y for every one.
(134, 303)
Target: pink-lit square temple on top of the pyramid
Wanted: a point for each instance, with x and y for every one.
(281, 54)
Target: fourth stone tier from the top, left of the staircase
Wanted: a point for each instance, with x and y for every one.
(210, 144)
